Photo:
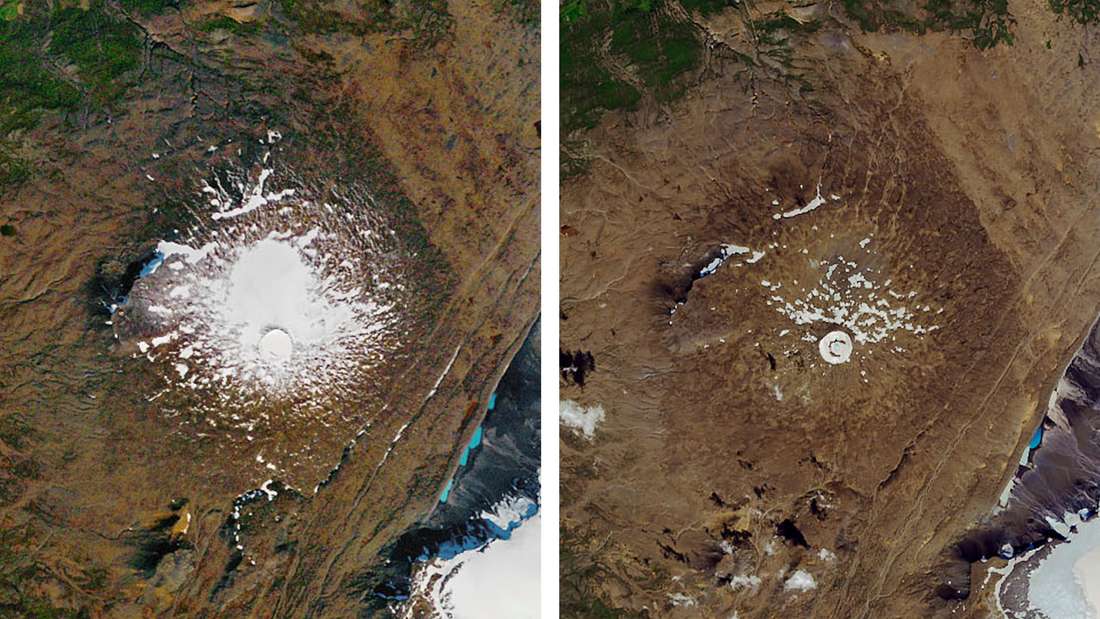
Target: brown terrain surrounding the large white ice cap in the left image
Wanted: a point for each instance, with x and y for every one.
(103, 512)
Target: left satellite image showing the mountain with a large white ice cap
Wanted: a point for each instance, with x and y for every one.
(269, 308)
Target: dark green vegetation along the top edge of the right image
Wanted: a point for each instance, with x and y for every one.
(615, 53)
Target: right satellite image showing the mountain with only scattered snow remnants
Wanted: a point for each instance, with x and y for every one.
(829, 306)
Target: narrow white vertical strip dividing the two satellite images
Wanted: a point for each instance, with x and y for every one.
(549, 255)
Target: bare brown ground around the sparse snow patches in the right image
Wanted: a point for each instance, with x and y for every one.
(973, 175)
